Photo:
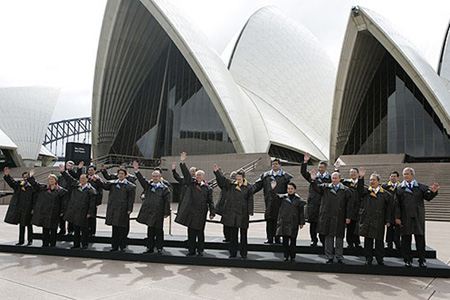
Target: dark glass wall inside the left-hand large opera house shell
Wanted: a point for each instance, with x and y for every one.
(171, 113)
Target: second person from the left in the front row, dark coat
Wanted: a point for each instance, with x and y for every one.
(48, 207)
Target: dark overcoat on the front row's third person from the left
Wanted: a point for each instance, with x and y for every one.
(81, 202)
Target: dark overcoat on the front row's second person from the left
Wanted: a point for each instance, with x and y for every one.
(48, 205)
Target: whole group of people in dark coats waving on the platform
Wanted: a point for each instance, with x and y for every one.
(335, 206)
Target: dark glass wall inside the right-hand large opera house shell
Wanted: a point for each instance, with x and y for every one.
(396, 118)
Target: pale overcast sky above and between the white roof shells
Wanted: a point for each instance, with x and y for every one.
(54, 42)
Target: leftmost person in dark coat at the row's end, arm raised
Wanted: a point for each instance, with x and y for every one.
(19, 209)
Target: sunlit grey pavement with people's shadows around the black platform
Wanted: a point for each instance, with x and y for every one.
(47, 277)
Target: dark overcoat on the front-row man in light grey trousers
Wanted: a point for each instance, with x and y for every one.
(333, 209)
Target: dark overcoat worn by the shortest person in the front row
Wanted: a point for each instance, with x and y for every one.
(291, 215)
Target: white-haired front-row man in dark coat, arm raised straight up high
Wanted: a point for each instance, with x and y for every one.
(192, 211)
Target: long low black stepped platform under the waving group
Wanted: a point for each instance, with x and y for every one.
(259, 257)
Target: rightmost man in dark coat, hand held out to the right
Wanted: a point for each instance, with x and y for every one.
(410, 214)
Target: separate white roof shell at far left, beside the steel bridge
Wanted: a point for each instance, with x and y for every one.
(24, 117)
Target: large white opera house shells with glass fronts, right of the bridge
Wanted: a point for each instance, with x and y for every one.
(159, 88)
